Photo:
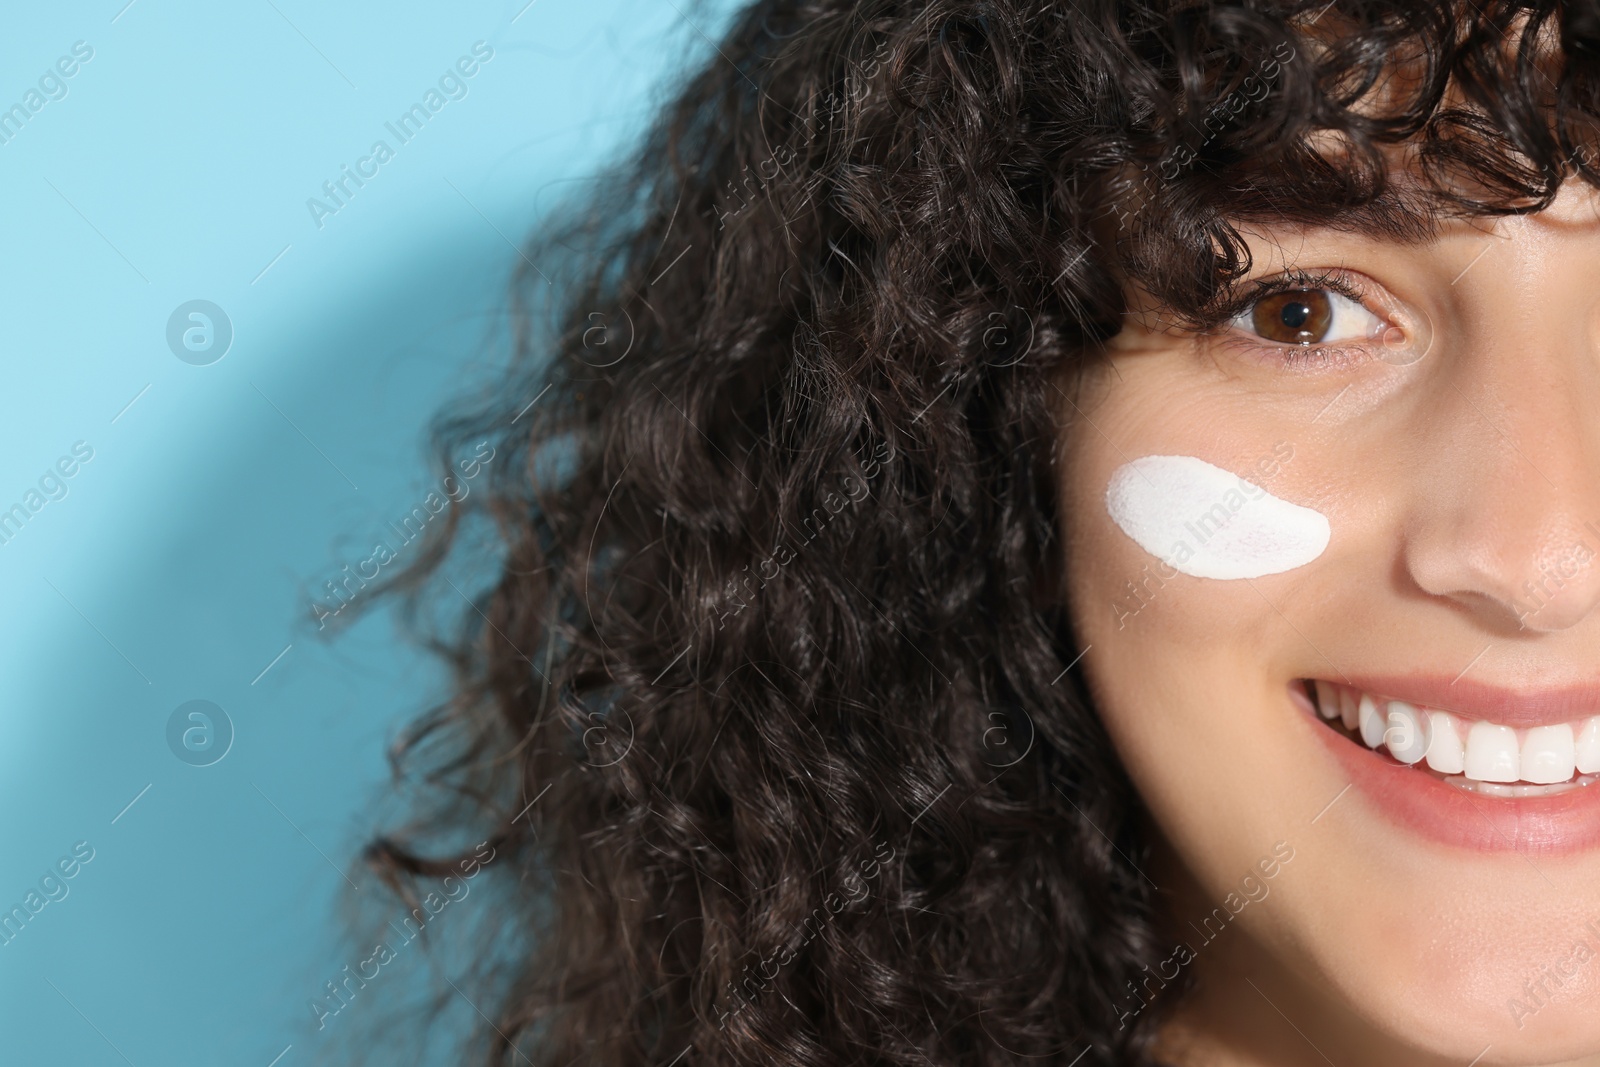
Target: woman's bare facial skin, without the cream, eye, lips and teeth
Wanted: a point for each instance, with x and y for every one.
(1450, 478)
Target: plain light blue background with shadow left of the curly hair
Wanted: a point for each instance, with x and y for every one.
(180, 564)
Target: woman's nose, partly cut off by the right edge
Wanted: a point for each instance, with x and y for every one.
(1508, 518)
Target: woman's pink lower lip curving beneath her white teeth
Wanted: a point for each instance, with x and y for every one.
(1422, 804)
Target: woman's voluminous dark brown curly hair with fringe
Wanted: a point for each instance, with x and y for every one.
(770, 716)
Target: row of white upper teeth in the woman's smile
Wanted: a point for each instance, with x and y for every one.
(1479, 749)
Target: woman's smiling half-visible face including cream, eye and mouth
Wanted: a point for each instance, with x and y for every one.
(1383, 913)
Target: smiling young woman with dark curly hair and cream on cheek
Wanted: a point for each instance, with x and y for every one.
(1052, 533)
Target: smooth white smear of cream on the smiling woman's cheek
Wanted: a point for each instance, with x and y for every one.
(1210, 524)
